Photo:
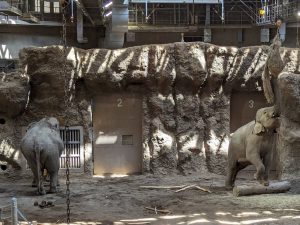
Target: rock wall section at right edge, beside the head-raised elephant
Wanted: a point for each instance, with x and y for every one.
(289, 141)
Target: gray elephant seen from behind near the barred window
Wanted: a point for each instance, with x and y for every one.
(42, 147)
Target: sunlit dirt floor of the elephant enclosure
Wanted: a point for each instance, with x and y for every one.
(119, 201)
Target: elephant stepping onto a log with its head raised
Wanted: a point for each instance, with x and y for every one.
(253, 143)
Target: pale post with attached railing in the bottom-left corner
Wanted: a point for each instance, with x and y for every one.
(11, 212)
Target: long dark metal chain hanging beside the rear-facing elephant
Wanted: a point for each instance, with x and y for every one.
(67, 105)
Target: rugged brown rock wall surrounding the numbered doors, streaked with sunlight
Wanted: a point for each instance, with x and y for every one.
(186, 90)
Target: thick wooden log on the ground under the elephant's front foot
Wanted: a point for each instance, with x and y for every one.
(274, 187)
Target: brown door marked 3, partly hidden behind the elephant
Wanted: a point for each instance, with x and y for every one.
(243, 107)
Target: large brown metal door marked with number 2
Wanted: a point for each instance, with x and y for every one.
(117, 122)
